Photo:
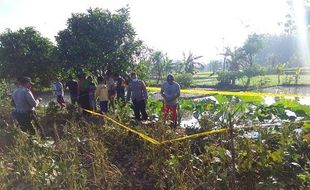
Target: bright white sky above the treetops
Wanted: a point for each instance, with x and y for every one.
(202, 27)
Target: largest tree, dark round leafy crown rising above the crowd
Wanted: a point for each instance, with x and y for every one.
(98, 41)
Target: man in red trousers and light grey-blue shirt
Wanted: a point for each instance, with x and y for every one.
(170, 91)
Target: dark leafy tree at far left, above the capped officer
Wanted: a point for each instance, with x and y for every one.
(26, 52)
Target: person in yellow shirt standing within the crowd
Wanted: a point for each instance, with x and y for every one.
(101, 93)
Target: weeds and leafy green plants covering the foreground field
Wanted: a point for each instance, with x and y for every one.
(271, 151)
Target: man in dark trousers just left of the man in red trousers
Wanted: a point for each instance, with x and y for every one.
(138, 94)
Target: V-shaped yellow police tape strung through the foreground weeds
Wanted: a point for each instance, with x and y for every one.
(153, 141)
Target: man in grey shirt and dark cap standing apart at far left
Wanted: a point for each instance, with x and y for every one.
(25, 104)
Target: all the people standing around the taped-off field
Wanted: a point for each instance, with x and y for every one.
(86, 94)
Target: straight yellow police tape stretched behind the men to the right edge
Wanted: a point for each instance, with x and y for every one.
(229, 93)
